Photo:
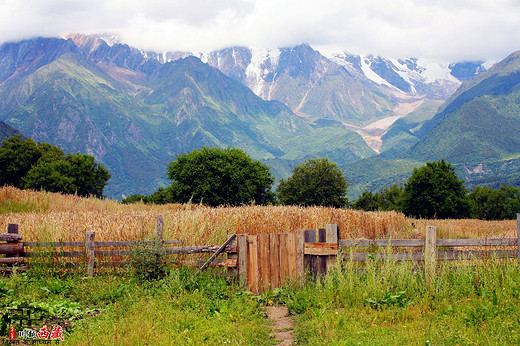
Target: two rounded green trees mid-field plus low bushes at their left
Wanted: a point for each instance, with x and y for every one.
(215, 176)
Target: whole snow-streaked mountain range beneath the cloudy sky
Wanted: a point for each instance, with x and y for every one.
(135, 110)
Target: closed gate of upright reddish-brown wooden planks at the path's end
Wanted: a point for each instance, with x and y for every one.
(267, 261)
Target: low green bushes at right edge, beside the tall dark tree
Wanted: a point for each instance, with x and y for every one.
(491, 204)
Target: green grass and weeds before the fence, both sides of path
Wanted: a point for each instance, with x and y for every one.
(385, 302)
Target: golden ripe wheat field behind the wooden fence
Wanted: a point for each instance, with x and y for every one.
(44, 216)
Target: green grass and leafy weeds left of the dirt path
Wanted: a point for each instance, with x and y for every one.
(103, 310)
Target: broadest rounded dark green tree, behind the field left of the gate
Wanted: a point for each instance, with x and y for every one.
(215, 176)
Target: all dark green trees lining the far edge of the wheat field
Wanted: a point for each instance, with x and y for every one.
(215, 176)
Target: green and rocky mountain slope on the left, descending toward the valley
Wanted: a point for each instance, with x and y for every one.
(134, 113)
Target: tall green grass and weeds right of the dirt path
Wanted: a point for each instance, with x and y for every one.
(391, 303)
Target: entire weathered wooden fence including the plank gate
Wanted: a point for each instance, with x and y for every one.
(267, 261)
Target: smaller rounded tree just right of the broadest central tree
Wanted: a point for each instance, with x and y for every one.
(315, 182)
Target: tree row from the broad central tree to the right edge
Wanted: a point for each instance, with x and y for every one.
(214, 176)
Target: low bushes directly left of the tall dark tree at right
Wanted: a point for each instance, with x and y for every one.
(387, 199)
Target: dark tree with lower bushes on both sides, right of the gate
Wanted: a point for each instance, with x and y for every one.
(434, 191)
